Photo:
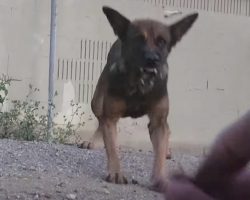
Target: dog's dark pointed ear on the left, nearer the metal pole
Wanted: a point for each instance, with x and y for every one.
(118, 22)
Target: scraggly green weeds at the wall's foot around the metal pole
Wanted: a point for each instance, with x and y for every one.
(27, 120)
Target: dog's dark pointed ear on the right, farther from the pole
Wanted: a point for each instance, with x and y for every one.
(179, 29)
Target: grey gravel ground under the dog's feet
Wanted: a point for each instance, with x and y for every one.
(32, 170)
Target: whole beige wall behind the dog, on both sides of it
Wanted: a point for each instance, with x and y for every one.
(209, 69)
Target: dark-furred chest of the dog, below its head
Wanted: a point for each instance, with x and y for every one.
(130, 90)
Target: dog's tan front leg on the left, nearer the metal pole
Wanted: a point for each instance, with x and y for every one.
(110, 138)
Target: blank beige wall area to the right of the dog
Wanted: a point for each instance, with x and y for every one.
(209, 76)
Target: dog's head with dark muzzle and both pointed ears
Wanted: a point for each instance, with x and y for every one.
(146, 44)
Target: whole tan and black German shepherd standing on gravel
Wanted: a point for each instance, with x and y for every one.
(134, 83)
